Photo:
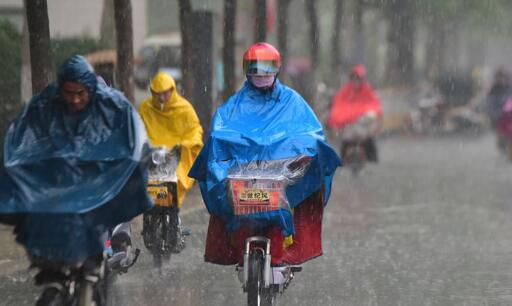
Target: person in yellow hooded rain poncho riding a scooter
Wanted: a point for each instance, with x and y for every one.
(170, 120)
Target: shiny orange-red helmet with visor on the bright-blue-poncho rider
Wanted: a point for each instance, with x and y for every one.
(261, 59)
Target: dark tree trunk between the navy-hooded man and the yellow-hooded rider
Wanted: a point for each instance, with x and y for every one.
(124, 35)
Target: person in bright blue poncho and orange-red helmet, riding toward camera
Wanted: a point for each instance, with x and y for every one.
(265, 124)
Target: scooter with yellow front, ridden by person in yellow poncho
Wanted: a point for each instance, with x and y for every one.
(162, 231)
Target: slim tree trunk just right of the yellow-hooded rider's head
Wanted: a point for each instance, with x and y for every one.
(185, 8)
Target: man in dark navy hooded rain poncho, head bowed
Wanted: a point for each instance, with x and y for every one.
(72, 166)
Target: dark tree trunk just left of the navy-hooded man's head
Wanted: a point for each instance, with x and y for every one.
(39, 38)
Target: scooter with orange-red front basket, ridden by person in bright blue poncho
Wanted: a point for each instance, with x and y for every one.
(254, 190)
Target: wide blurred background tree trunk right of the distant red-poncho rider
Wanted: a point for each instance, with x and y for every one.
(400, 14)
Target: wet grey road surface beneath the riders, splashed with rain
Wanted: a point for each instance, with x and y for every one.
(429, 225)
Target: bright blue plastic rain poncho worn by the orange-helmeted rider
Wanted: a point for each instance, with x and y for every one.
(267, 131)
